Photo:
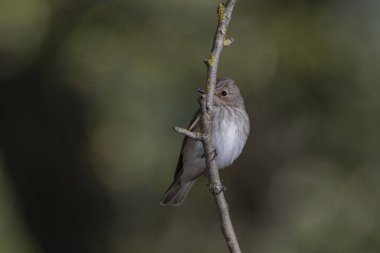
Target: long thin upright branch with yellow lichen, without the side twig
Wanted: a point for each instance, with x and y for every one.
(216, 186)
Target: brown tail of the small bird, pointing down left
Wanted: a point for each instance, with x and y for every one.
(176, 193)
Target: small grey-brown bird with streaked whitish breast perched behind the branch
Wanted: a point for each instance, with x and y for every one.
(230, 129)
